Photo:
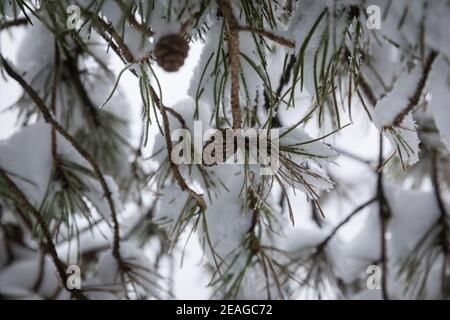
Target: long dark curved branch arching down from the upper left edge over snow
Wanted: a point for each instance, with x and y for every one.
(54, 123)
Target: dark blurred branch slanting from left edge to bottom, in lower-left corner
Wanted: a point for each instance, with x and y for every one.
(49, 246)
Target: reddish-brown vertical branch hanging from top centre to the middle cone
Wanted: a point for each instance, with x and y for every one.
(233, 46)
